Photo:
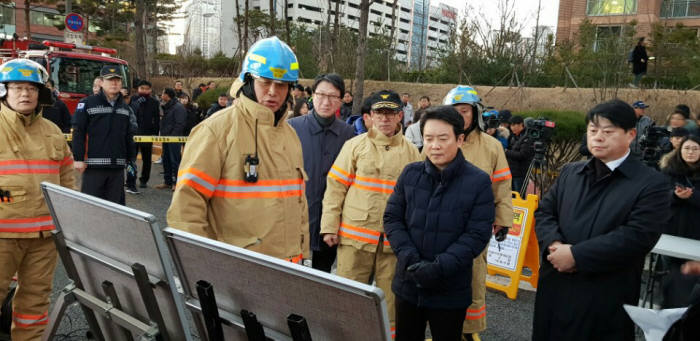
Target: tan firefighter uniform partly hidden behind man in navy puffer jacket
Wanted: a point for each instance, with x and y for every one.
(487, 153)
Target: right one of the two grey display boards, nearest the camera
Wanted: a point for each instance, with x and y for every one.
(334, 308)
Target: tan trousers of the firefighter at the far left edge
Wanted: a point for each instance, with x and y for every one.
(34, 261)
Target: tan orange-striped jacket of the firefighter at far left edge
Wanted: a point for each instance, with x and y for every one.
(32, 150)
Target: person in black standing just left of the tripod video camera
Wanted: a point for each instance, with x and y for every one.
(520, 153)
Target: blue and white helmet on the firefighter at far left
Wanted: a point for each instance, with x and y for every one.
(25, 70)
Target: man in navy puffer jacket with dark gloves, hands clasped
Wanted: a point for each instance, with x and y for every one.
(438, 220)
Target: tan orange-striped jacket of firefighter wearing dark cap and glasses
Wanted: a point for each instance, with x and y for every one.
(359, 184)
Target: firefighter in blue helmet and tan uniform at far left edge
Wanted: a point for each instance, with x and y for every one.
(32, 150)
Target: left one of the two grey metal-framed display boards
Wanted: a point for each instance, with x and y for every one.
(104, 240)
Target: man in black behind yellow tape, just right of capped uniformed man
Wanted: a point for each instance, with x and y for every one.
(147, 111)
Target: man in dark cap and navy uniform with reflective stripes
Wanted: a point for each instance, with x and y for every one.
(103, 138)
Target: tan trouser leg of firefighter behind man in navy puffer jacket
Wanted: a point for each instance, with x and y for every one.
(475, 321)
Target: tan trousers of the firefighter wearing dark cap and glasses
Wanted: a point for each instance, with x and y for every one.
(357, 265)
